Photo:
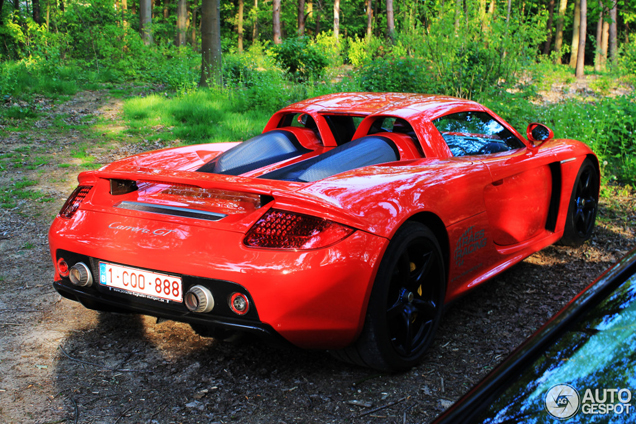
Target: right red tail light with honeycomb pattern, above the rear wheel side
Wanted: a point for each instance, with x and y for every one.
(288, 230)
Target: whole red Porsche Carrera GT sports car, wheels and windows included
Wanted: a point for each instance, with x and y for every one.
(346, 225)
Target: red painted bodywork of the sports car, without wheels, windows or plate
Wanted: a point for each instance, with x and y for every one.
(487, 211)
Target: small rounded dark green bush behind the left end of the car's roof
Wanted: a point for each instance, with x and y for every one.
(300, 58)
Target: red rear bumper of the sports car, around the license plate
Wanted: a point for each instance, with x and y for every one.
(313, 299)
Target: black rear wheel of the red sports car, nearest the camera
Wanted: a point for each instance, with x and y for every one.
(406, 303)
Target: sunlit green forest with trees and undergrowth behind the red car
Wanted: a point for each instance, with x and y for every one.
(246, 59)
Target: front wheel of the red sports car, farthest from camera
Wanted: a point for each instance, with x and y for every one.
(583, 206)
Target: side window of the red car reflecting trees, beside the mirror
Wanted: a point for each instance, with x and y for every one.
(475, 133)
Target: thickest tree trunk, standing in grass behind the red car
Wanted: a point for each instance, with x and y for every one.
(210, 43)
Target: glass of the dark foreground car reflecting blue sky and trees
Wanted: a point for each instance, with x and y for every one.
(597, 357)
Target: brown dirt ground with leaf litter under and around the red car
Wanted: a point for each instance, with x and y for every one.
(60, 362)
